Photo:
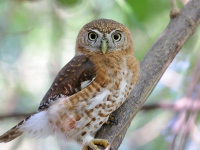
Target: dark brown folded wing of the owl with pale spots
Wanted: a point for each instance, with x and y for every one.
(69, 79)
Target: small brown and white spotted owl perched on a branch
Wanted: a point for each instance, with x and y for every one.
(88, 89)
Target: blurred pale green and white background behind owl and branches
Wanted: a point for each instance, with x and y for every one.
(37, 38)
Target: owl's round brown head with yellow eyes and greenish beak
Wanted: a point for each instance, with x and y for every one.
(104, 36)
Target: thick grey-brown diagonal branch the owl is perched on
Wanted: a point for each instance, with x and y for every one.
(153, 66)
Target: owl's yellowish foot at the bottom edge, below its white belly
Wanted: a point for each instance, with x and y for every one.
(93, 144)
